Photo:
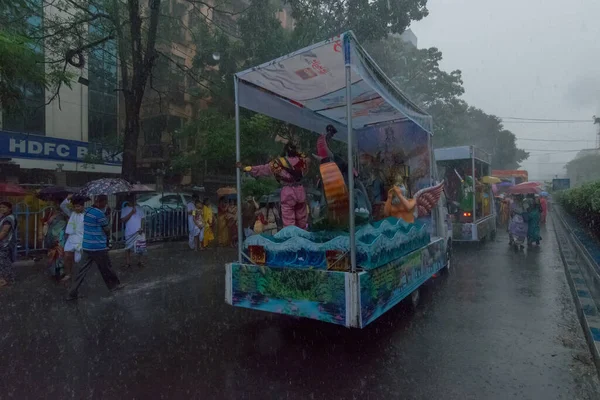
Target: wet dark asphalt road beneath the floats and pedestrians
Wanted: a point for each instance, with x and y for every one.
(502, 325)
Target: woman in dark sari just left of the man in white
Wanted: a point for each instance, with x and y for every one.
(54, 240)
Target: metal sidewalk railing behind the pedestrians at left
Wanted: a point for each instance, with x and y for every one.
(161, 224)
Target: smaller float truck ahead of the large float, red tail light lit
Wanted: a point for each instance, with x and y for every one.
(466, 171)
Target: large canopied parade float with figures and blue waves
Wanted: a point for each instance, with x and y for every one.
(363, 262)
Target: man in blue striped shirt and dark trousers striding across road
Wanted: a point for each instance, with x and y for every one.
(95, 231)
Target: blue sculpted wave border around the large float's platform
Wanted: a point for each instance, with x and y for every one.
(376, 244)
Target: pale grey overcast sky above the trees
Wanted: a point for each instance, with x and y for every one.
(525, 58)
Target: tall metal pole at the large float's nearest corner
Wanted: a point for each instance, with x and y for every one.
(350, 154)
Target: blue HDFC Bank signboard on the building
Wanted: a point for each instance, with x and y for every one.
(20, 145)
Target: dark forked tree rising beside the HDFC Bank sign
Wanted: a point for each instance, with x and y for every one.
(80, 26)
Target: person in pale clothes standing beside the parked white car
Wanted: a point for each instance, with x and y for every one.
(132, 216)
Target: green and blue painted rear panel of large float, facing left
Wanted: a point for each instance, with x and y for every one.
(314, 294)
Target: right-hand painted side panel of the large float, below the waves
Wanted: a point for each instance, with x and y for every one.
(384, 287)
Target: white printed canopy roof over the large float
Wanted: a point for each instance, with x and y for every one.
(307, 88)
